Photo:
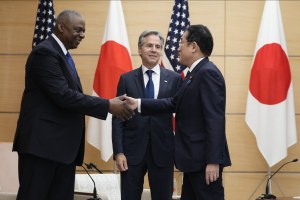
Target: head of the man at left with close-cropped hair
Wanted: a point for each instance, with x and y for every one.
(72, 29)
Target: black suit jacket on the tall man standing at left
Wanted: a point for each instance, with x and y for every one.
(51, 123)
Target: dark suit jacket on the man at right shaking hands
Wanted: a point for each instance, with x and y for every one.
(199, 105)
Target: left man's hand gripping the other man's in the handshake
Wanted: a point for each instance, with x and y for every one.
(119, 108)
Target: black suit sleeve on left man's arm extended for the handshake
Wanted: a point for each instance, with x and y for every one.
(48, 70)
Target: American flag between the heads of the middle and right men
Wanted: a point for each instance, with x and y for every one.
(179, 22)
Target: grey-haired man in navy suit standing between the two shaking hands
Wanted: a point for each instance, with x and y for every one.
(146, 143)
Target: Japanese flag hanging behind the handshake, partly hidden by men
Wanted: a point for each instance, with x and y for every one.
(114, 60)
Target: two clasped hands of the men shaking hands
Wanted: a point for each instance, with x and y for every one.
(123, 107)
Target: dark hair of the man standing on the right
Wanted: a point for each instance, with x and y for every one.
(202, 36)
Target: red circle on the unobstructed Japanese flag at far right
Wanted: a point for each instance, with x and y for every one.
(270, 75)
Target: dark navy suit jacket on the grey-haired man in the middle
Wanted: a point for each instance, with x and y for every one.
(133, 136)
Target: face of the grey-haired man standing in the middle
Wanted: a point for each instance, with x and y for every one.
(150, 51)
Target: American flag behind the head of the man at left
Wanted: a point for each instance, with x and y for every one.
(45, 22)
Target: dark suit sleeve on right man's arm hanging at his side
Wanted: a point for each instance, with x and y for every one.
(213, 105)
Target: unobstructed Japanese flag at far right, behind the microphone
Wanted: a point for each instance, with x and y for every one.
(270, 106)
